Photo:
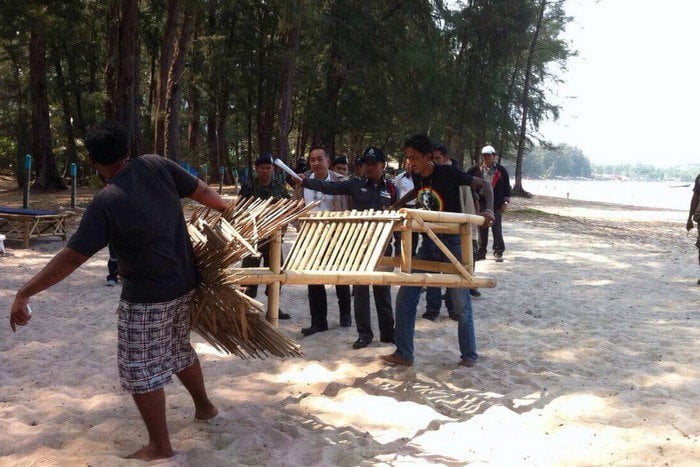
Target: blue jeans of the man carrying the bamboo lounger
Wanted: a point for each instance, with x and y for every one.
(407, 304)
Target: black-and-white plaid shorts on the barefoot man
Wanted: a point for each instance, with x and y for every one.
(153, 343)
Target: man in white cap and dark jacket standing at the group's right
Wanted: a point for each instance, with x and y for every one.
(497, 176)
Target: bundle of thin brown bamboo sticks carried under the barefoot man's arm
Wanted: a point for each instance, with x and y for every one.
(223, 315)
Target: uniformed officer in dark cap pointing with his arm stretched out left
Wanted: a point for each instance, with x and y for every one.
(372, 192)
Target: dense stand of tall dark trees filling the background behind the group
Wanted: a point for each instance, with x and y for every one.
(218, 82)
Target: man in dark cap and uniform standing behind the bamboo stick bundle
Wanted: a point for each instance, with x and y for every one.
(263, 186)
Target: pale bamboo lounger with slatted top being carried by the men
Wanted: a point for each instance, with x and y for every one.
(348, 248)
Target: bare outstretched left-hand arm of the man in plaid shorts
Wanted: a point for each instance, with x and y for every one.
(64, 263)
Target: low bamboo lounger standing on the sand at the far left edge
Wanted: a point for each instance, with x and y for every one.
(24, 224)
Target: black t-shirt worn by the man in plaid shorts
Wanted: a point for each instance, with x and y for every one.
(139, 212)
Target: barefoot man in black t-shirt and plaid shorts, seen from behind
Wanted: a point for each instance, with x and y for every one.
(140, 215)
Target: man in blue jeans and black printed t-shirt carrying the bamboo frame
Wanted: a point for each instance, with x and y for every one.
(438, 190)
